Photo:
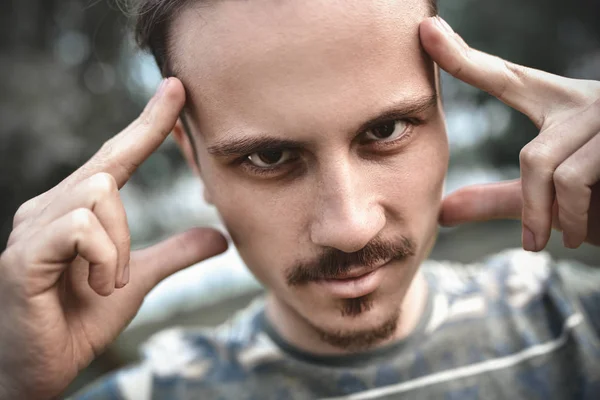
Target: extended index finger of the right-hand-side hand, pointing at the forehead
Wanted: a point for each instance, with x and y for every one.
(522, 88)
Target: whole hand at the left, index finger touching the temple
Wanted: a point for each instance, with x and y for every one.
(70, 249)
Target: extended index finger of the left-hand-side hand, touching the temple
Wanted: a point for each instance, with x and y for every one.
(125, 152)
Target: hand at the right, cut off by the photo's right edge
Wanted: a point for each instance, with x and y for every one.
(560, 168)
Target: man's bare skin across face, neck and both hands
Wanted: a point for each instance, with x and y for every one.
(312, 72)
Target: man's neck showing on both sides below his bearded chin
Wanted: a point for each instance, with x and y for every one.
(298, 332)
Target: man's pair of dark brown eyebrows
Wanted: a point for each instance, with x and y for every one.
(248, 145)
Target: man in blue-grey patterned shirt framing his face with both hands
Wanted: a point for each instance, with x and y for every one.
(317, 128)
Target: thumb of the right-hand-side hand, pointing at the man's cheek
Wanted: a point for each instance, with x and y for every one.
(482, 202)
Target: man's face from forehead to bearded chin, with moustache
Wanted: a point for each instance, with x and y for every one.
(321, 142)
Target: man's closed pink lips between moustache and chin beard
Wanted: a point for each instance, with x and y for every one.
(355, 283)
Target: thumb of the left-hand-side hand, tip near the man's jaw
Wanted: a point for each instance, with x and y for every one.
(153, 264)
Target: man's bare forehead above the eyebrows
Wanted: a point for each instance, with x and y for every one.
(298, 58)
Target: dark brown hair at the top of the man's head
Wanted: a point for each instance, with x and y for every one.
(152, 27)
